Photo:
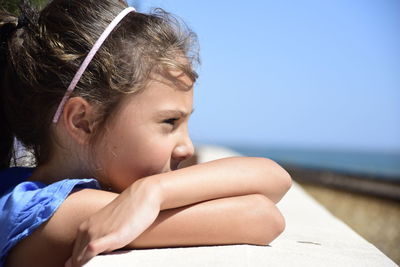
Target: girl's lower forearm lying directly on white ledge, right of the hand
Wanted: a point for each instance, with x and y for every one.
(249, 219)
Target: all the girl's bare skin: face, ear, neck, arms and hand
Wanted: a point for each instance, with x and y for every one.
(147, 201)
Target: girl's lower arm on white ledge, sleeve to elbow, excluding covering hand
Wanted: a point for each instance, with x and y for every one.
(210, 222)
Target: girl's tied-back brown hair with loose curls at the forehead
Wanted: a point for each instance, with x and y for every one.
(40, 53)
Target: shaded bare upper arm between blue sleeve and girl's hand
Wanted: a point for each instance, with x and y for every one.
(57, 234)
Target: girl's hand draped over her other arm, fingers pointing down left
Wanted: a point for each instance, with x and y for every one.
(117, 224)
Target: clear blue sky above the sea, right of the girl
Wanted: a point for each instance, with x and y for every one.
(309, 74)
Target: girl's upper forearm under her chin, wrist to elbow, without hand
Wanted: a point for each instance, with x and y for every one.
(227, 177)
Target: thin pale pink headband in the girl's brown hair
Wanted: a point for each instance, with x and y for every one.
(88, 58)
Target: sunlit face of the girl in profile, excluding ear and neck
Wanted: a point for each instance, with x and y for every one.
(149, 135)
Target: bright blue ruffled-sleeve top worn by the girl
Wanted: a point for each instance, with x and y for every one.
(25, 205)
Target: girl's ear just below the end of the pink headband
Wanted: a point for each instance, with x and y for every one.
(78, 119)
